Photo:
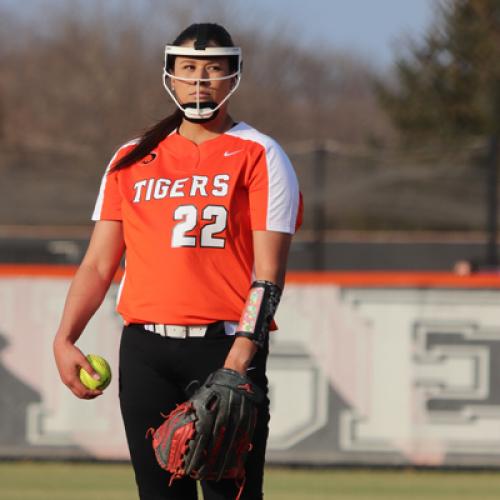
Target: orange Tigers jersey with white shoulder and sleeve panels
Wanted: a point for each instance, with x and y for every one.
(188, 212)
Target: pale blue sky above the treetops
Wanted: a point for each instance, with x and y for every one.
(368, 27)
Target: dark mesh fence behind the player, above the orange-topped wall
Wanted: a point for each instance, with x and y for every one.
(351, 197)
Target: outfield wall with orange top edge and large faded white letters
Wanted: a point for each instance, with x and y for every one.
(371, 368)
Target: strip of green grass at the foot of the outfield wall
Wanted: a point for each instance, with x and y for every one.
(58, 481)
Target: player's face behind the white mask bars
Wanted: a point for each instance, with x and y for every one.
(197, 67)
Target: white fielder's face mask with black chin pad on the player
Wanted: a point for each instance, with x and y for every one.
(201, 111)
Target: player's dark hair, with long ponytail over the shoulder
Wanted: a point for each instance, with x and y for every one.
(202, 34)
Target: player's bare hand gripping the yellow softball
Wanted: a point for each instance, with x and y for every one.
(69, 360)
